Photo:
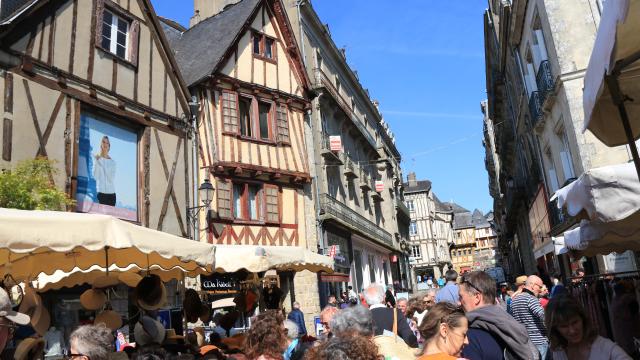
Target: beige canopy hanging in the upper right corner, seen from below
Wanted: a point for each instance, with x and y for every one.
(611, 97)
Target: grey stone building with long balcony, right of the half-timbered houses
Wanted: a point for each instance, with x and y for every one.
(357, 177)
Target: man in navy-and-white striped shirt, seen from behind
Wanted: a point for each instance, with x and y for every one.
(526, 309)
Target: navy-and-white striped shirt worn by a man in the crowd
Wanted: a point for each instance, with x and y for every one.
(526, 309)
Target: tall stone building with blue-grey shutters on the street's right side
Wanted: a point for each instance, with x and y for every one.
(536, 56)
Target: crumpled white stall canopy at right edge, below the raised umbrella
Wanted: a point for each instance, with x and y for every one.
(607, 202)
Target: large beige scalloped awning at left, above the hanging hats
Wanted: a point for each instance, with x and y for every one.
(34, 242)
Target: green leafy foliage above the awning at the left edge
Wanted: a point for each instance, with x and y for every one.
(29, 187)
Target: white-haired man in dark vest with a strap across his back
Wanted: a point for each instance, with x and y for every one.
(383, 316)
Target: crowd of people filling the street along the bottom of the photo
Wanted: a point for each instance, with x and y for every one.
(467, 318)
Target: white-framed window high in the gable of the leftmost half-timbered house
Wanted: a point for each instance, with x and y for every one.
(117, 34)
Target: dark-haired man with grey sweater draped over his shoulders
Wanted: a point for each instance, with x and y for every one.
(492, 332)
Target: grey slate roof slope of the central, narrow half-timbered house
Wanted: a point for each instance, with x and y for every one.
(201, 48)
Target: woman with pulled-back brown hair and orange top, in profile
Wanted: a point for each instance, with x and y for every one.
(444, 331)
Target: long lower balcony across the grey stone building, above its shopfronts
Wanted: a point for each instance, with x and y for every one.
(331, 208)
